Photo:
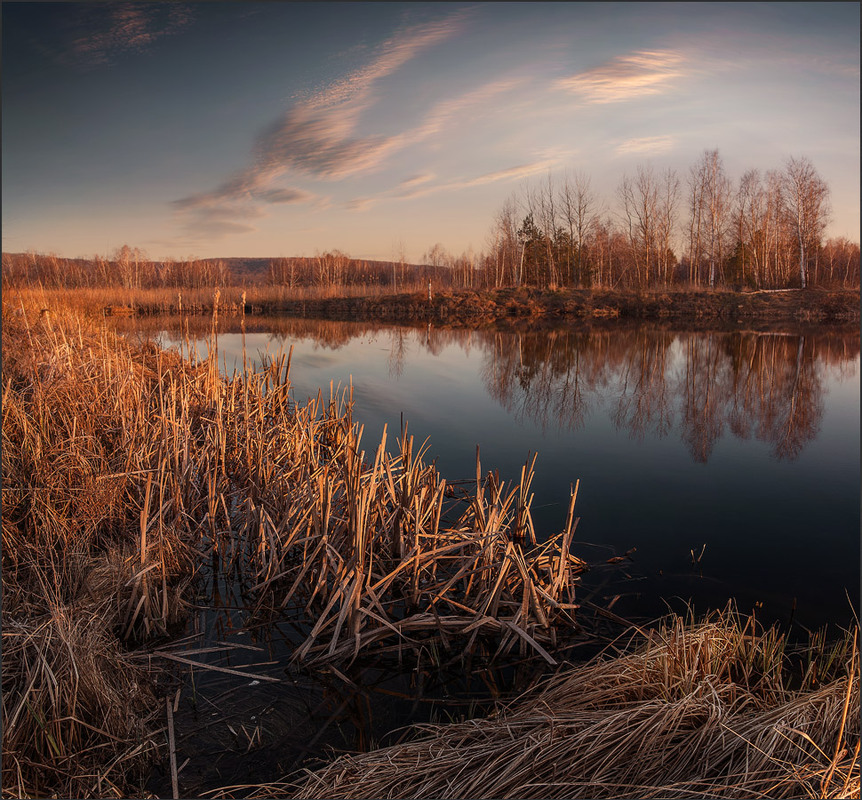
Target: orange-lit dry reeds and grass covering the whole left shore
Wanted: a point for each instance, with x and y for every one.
(127, 469)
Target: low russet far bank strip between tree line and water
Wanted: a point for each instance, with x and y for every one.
(497, 308)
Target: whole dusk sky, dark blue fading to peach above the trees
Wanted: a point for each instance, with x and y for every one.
(229, 129)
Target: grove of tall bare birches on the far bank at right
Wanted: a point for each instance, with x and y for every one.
(662, 229)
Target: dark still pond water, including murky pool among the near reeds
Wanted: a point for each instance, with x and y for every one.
(728, 462)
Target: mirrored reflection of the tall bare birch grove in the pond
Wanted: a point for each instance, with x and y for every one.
(762, 385)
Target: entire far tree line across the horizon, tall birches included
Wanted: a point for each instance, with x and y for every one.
(658, 229)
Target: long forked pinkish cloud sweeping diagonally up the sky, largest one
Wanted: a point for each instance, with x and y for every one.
(317, 136)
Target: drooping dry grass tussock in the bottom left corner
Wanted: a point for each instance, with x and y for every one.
(79, 716)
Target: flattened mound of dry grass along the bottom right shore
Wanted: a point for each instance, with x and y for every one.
(718, 709)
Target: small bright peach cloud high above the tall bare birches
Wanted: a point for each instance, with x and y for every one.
(643, 73)
